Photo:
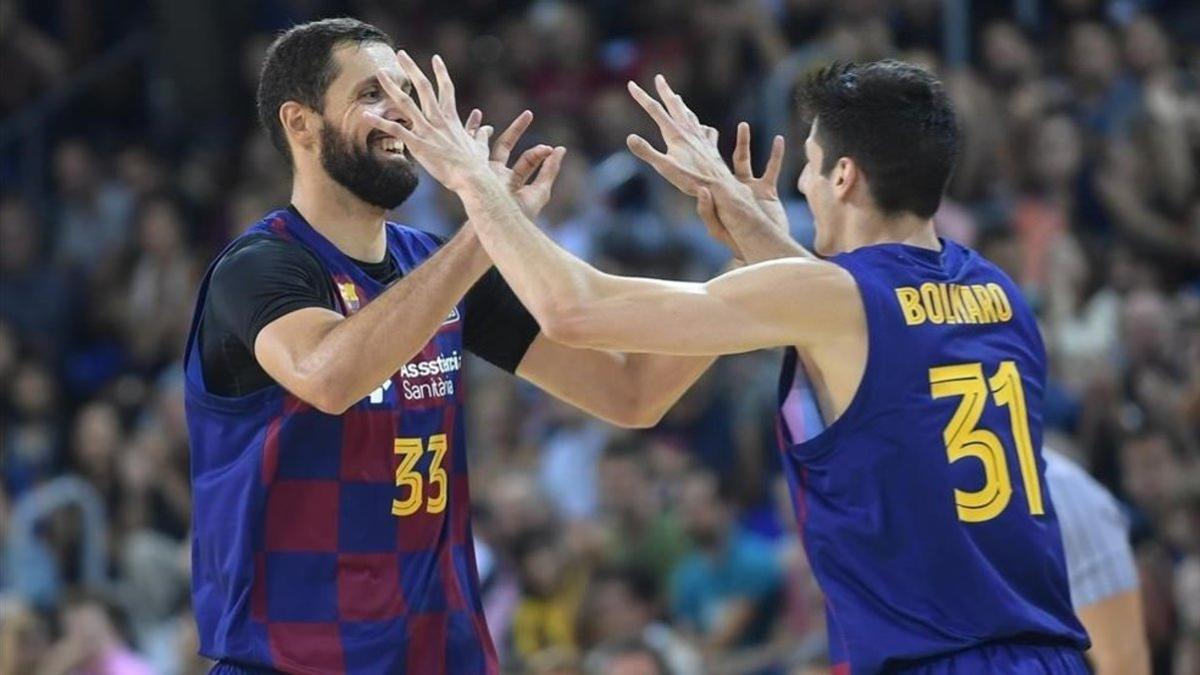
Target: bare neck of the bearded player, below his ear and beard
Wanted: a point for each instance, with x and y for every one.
(352, 225)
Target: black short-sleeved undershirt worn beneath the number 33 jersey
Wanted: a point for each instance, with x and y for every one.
(265, 278)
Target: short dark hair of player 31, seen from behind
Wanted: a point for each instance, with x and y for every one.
(896, 121)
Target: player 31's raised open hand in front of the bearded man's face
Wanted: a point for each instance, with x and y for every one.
(435, 135)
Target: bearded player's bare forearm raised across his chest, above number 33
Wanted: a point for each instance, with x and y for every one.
(365, 350)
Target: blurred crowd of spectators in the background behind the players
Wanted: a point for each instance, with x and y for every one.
(602, 552)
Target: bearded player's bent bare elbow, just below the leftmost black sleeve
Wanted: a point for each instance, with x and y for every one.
(289, 350)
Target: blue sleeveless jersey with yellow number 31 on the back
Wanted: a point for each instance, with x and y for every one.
(925, 509)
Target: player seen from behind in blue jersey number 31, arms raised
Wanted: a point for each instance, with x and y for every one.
(910, 401)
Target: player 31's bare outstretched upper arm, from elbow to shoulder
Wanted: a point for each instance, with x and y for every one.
(777, 303)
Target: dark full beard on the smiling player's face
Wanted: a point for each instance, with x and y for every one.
(385, 184)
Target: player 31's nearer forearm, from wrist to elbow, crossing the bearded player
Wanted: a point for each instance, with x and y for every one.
(547, 279)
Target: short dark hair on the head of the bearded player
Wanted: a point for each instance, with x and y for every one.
(299, 67)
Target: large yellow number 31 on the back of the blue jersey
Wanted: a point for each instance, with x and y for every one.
(964, 439)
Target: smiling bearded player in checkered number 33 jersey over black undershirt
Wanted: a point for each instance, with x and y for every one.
(325, 393)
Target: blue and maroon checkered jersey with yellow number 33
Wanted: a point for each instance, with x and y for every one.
(339, 543)
